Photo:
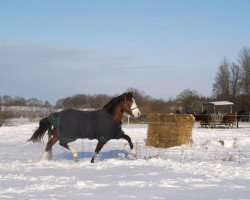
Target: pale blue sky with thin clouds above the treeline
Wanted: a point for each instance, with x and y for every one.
(54, 49)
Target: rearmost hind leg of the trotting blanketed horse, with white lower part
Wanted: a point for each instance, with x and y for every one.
(53, 138)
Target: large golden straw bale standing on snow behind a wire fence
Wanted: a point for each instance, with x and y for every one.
(166, 131)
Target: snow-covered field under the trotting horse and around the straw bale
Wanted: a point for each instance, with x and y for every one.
(205, 170)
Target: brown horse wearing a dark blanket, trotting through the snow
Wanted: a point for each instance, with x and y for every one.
(104, 124)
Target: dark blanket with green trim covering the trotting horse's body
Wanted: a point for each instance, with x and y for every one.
(73, 124)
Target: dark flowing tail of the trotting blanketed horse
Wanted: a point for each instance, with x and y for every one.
(44, 125)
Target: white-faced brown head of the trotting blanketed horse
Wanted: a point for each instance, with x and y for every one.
(129, 105)
